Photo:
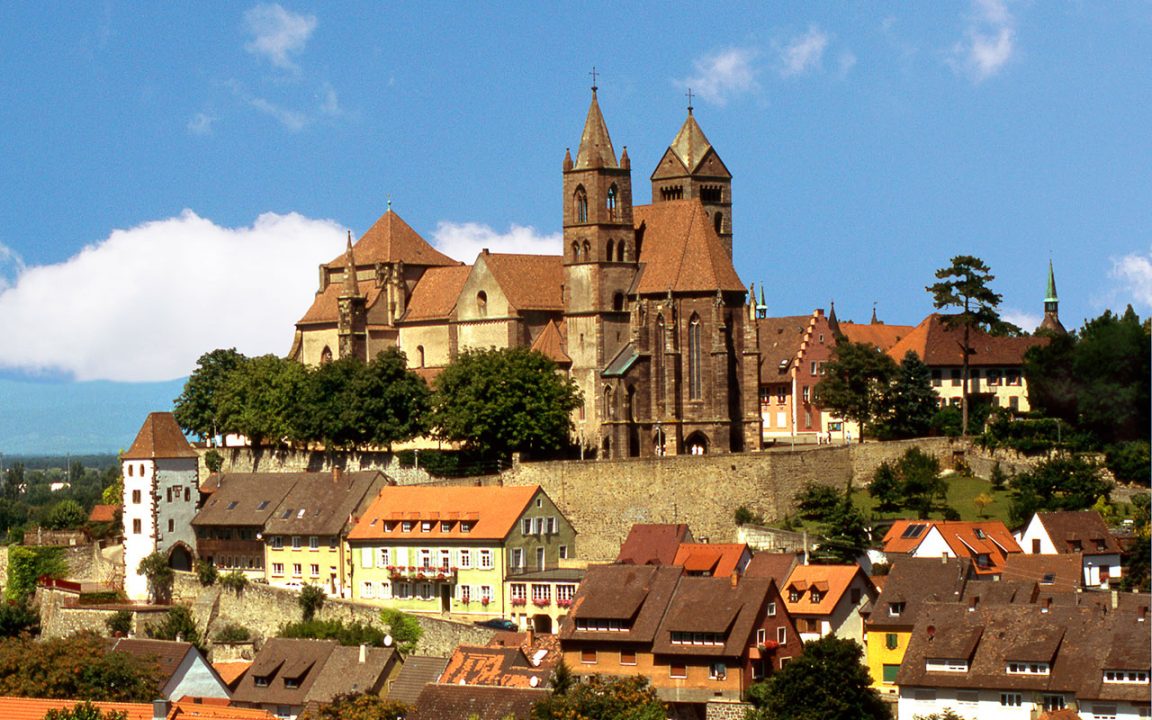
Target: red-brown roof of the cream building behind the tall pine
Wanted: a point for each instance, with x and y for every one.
(941, 346)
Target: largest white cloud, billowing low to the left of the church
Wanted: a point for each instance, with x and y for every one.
(146, 302)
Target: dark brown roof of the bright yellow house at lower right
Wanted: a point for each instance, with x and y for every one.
(916, 581)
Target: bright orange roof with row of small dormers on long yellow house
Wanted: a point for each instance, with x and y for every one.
(492, 513)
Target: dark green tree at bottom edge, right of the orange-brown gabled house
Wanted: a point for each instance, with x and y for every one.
(827, 683)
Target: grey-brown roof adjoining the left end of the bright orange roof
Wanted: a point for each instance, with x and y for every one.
(324, 503)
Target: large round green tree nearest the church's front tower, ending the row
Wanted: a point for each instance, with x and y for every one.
(499, 401)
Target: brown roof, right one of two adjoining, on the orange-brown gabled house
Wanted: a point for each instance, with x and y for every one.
(714, 605)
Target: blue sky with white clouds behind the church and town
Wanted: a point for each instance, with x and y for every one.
(173, 173)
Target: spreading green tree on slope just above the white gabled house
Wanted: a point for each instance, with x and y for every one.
(1062, 483)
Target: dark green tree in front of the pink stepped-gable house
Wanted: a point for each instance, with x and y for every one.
(858, 384)
